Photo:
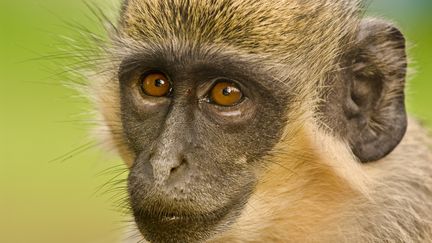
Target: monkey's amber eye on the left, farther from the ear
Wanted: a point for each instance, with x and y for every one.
(156, 84)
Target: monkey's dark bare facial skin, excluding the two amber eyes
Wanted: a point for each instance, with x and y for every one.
(195, 160)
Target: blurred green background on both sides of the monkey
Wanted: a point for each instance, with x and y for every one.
(57, 201)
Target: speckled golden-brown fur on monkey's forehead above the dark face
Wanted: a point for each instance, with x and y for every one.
(287, 28)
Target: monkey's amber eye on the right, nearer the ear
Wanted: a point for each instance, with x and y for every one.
(226, 94)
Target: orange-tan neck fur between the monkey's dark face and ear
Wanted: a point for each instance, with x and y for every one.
(299, 192)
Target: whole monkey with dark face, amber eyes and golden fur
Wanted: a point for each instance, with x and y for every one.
(264, 121)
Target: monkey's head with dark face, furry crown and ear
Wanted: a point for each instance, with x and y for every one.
(205, 96)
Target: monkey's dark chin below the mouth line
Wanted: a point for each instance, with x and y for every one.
(158, 226)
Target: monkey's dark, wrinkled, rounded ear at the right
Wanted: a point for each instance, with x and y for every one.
(375, 104)
